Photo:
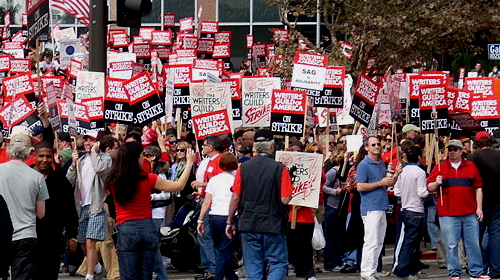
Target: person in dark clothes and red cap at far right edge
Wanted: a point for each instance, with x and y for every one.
(487, 162)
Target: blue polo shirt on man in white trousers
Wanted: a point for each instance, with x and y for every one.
(369, 171)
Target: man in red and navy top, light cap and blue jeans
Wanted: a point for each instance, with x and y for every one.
(459, 206)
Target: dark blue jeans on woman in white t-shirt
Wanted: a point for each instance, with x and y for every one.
(224, 248)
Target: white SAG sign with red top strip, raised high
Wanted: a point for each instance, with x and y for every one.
(309, 70)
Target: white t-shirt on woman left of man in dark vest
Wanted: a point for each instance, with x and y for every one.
(219, 187)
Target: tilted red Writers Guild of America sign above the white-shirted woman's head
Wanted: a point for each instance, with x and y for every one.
(213, 123)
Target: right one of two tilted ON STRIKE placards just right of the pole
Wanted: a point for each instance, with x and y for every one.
(144, 100)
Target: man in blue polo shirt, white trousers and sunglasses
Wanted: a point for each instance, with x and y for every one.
(371, 184)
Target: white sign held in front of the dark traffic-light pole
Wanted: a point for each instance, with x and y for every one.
(88, 85)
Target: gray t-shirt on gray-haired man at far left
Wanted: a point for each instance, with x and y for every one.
(22, 187)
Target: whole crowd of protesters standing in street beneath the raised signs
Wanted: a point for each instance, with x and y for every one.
(77, 190)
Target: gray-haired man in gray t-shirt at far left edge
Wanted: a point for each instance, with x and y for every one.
(25, 192)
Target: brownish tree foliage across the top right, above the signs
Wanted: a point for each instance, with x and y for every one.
(397, 32)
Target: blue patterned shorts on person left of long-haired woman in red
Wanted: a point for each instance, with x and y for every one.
(91, 226)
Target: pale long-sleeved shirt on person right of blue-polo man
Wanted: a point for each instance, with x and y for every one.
(412, 188)
